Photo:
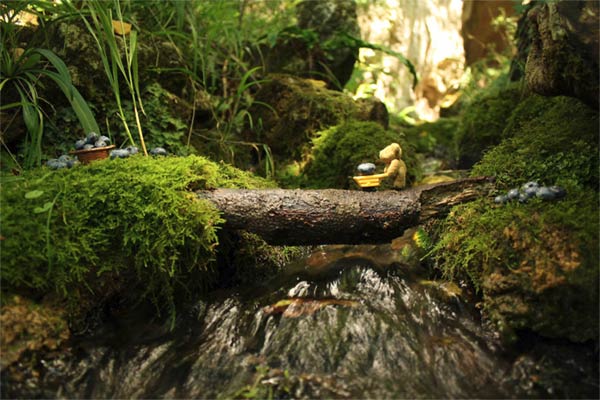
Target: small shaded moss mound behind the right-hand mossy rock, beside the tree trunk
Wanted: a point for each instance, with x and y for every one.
(482, 123)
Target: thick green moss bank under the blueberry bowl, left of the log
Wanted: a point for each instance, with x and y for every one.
(114, 222)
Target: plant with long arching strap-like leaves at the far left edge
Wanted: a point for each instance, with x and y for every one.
(23, 70)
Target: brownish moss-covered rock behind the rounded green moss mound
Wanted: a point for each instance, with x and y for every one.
(298, 109)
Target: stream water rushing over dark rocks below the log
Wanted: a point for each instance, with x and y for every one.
(346, 322)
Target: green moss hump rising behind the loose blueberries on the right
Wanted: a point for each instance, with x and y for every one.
(553, 140)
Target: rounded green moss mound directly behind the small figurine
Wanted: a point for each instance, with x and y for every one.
(337, 151)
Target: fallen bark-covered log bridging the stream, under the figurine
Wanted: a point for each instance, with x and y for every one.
(331, 216)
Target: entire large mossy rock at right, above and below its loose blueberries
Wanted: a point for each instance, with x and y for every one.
(535, 264)
